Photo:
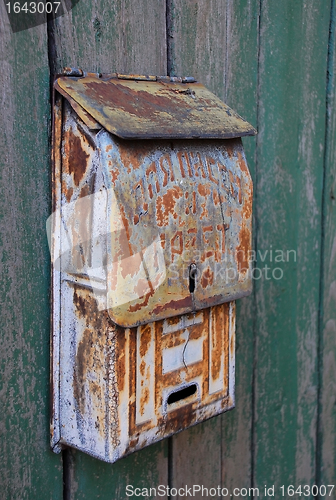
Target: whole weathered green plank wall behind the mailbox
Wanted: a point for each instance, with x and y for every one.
(274, 62)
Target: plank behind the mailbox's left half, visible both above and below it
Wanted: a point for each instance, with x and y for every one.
(127, 37)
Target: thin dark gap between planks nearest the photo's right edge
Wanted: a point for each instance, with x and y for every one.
(329, 110)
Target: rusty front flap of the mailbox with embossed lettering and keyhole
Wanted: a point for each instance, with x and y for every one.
(173, 205)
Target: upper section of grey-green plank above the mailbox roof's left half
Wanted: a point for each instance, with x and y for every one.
(122, 36)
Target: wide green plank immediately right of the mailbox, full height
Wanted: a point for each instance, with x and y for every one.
(291, 120)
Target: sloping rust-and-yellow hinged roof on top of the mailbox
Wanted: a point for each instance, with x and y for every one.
(154, 108)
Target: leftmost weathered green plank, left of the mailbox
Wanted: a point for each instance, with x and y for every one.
(28, 469)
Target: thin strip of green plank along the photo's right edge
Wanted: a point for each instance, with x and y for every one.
(327, 428)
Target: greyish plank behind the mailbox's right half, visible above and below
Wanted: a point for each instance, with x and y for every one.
(216, 42)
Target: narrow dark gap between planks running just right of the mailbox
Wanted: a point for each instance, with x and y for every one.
(255, 222)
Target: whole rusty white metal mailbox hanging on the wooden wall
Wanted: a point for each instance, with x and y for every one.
(150, 237)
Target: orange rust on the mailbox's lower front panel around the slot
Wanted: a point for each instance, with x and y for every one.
(167, 420)
